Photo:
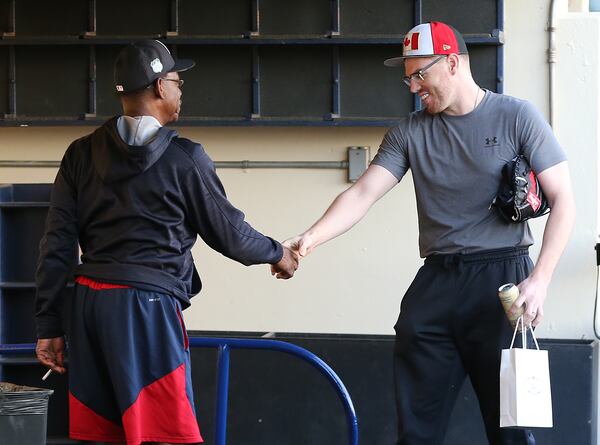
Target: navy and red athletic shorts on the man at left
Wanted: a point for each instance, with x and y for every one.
(129, 367)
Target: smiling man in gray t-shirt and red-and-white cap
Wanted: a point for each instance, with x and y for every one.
(451, 322)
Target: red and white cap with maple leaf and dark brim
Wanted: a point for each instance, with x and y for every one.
(430, 39)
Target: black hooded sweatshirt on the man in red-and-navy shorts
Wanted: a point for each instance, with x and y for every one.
(136, 212)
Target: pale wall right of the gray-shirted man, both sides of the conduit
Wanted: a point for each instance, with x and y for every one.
(569, 307)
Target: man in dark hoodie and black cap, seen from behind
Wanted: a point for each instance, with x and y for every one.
(135, 196)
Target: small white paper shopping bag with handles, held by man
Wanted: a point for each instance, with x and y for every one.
(525, 396)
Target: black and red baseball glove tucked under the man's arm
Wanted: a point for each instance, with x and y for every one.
(520, 195)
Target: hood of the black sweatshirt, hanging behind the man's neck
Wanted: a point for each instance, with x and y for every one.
(115, 160)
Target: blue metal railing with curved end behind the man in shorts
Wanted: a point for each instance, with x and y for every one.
(224, 346)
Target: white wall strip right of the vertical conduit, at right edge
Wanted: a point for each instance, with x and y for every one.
(578, 117)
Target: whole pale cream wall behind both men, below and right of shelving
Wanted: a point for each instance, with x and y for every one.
(354, 284)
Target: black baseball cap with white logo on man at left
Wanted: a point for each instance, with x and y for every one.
(141, 63)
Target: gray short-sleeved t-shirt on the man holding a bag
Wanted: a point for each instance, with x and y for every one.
(456, 164)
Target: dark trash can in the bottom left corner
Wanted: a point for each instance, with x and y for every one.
(23, 414)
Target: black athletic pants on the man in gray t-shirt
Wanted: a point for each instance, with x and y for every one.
(451, 325)
